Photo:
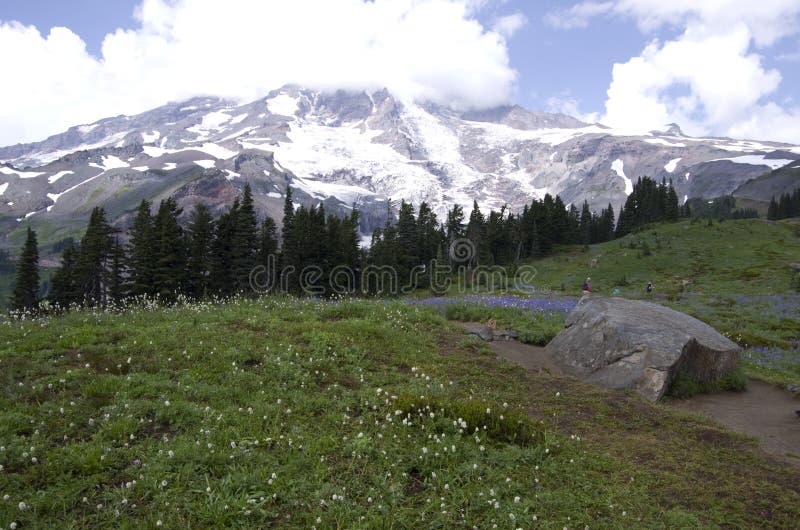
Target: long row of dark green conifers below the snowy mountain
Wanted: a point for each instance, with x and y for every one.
(218, 257)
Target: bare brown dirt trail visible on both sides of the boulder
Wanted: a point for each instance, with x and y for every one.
(763, 411)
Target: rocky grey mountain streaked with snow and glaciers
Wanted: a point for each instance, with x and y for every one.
(356, 149)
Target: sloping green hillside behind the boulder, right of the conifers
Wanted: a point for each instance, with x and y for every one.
(749, 256)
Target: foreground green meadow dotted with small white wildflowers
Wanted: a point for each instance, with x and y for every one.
(297, 414)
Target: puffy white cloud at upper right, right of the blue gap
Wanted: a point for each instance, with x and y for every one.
(709, 78)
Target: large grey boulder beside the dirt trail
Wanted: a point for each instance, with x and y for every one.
(621, 344)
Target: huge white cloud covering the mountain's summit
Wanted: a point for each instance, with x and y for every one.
(425, 49)
